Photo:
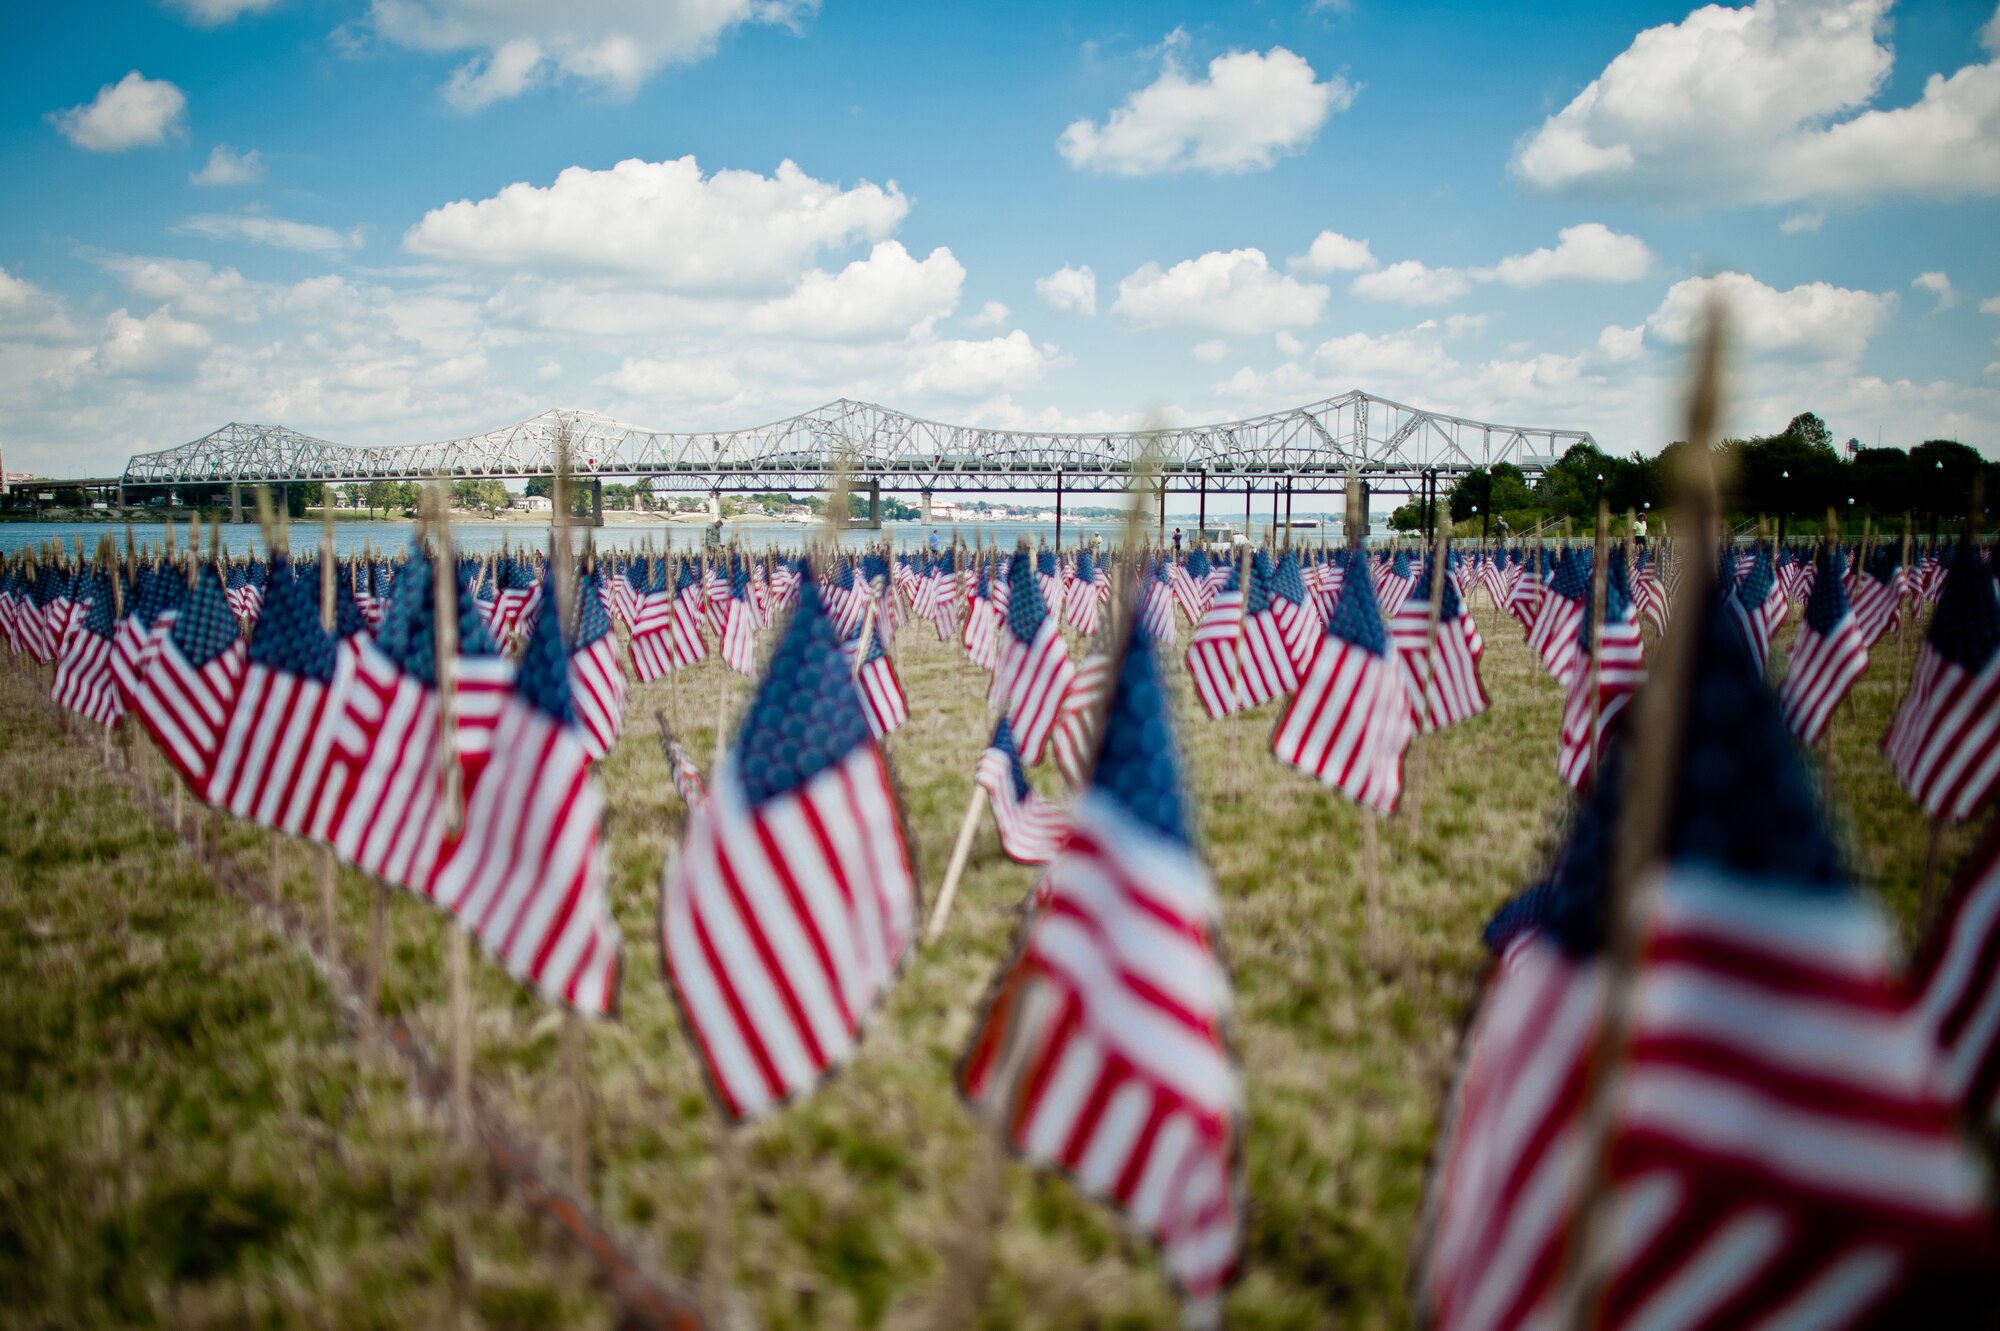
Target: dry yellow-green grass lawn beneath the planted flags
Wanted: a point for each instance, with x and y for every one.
(139, 1006)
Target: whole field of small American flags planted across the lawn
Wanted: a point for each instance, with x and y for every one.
(1103, 1048)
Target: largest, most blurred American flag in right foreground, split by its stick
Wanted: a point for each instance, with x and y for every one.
(1779, 1154)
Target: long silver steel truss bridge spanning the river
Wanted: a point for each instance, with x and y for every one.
(1311, 449)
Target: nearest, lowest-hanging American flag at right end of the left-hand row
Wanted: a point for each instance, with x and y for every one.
(527, 872)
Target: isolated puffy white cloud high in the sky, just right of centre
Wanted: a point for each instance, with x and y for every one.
(1247, 113)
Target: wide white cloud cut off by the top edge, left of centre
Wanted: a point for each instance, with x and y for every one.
(611, 45)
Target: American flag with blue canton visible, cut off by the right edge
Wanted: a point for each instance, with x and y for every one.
(1945, 742)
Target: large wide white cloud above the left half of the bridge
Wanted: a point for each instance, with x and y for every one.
(663, 223)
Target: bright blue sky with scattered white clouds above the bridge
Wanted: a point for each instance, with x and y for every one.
(417, 219)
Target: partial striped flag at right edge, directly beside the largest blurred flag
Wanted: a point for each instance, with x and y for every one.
(1955, 988)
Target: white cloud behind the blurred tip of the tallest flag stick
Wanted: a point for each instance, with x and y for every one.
(1813, 319)
